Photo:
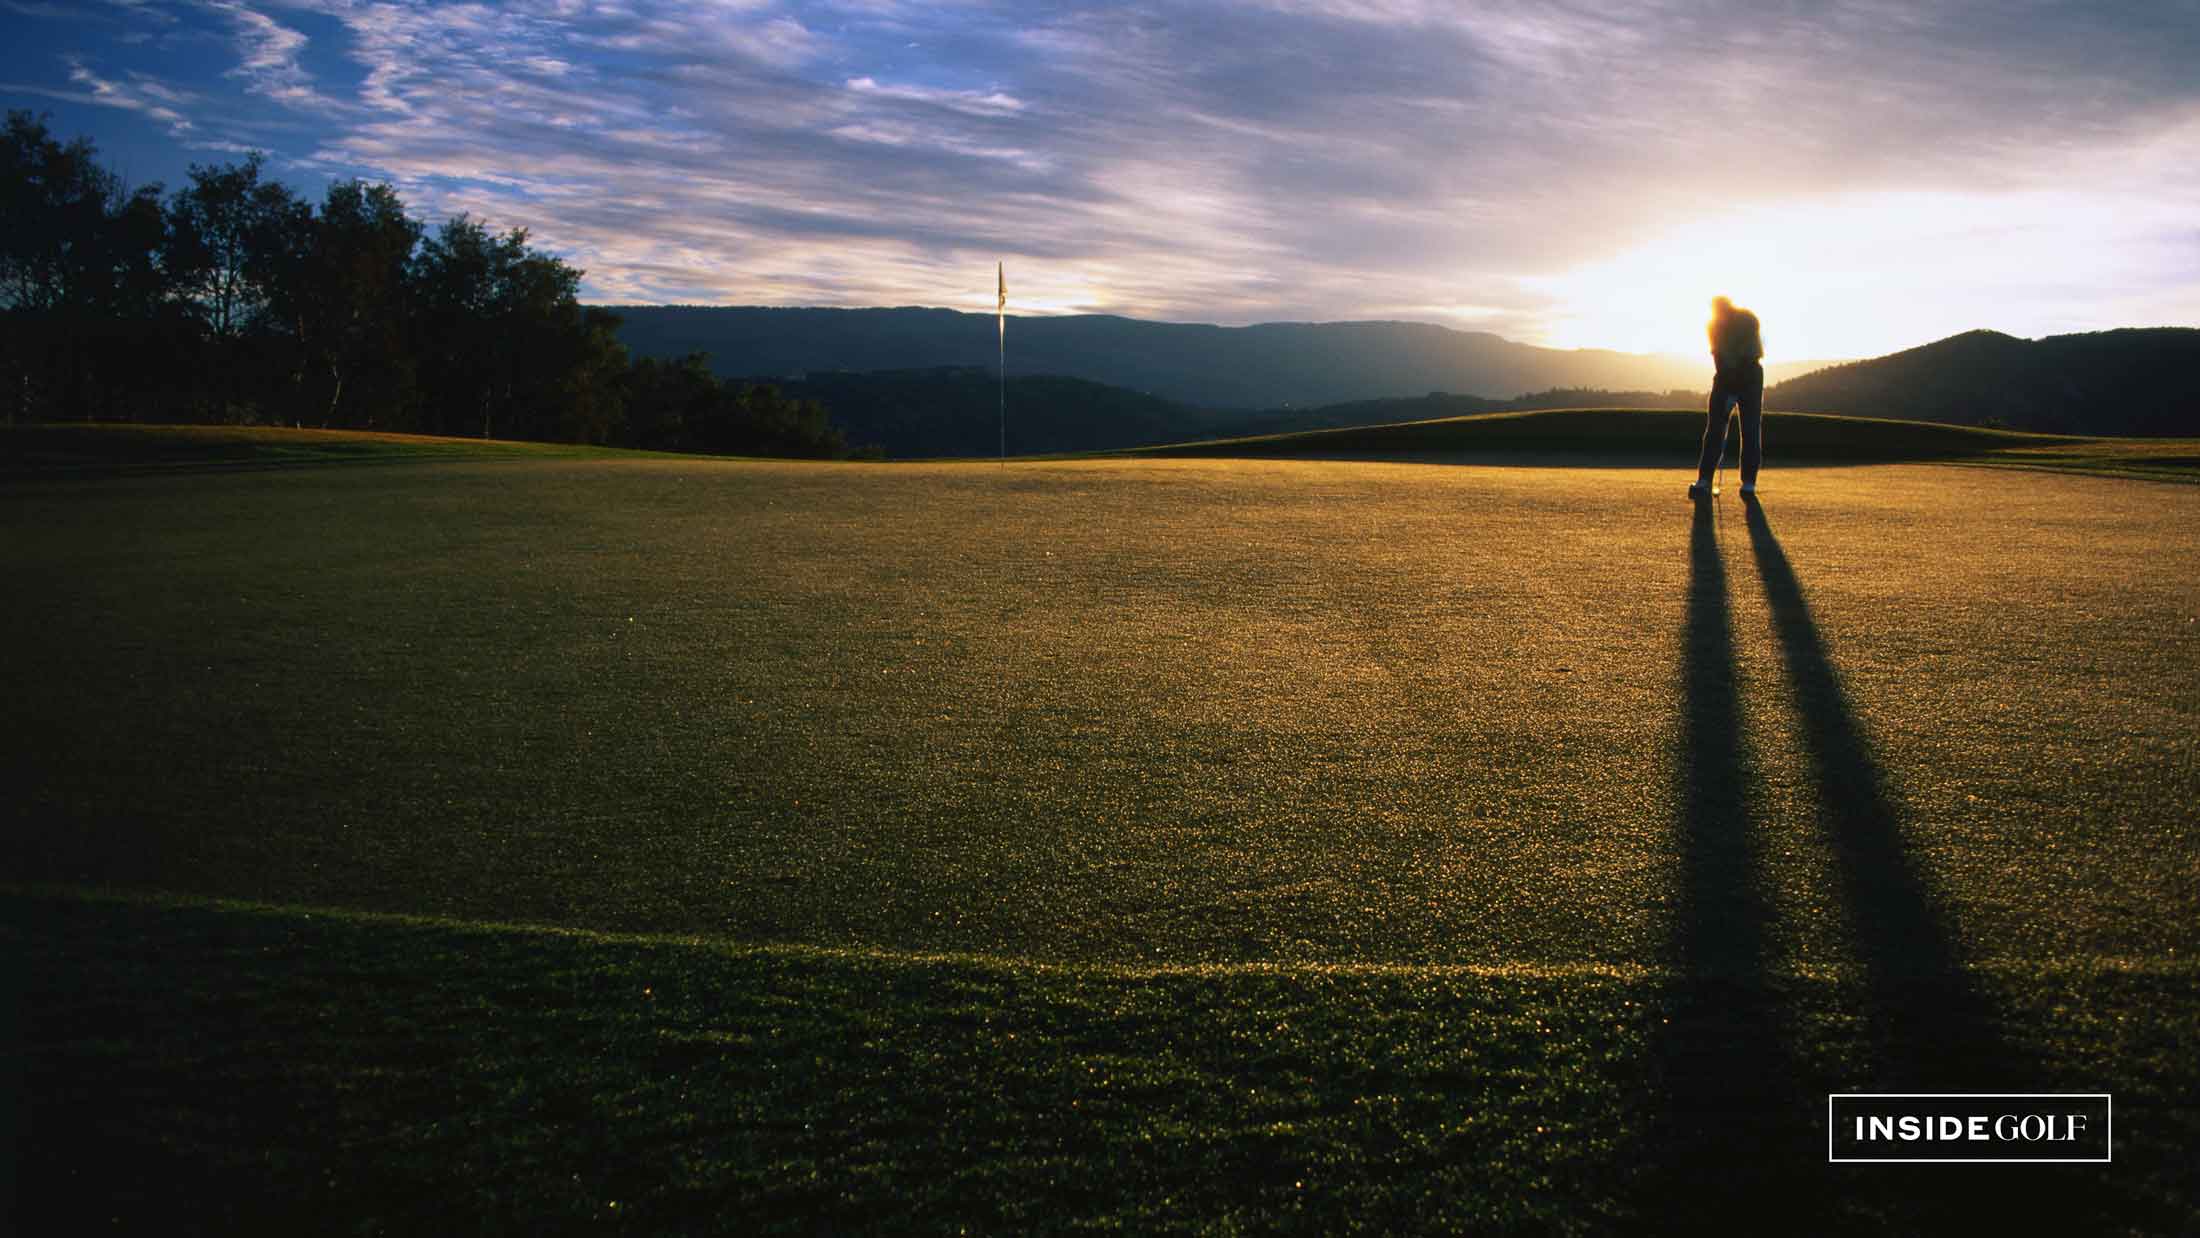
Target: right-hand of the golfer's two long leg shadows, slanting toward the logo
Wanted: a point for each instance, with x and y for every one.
(1928, 1026)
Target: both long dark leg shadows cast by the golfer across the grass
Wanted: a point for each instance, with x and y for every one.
(1743, 1103)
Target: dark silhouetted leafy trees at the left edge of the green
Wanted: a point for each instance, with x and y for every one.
(239, 302)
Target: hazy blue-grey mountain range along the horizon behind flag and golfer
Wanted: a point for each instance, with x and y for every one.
(927, 382)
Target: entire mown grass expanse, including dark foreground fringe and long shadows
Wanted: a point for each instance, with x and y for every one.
(1323, 806)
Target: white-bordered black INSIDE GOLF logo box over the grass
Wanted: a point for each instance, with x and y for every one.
(1968, 1127)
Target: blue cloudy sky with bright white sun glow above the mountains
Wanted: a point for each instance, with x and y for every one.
(1578, 175)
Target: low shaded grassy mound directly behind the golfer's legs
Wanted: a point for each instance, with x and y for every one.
(1669, 436)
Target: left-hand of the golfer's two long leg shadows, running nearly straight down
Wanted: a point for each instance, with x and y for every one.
(1728, 1131)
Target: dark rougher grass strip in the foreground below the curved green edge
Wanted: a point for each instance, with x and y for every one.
(225, 1068)
